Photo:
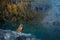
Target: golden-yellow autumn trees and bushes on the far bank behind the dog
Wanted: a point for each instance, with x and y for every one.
(16, 11)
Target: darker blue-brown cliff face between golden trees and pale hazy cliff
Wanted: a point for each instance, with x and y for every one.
(41, 7)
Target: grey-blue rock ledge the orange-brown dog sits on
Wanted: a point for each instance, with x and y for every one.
(12, 35)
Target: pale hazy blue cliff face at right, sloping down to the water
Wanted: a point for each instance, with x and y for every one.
(53, 16)
